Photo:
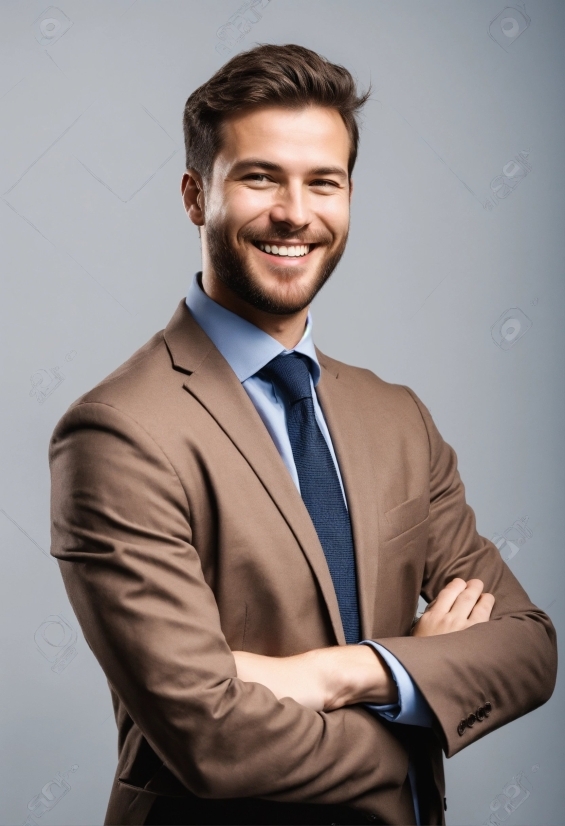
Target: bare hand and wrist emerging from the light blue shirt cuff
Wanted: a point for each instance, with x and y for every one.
(323, 679)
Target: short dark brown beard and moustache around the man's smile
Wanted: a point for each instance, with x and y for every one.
(233, 271)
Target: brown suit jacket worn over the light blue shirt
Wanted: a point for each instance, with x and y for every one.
(181, 536)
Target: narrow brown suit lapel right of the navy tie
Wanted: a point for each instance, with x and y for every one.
(337, 399)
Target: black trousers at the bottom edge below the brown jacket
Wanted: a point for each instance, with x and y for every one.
(179, 811)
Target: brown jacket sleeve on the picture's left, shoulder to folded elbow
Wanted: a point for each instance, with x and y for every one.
(121, 532)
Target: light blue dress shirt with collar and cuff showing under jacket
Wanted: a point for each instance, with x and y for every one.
(247, 349)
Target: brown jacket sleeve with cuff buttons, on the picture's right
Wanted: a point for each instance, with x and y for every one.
(485, 676)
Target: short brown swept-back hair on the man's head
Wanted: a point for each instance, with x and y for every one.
(290, 75)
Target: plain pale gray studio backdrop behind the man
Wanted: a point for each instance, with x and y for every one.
(457, 228)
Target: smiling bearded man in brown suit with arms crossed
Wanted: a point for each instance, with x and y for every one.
(234, 512)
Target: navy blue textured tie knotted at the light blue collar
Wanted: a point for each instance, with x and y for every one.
(319, 483)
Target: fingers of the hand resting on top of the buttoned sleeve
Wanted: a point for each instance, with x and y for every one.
(457, 606)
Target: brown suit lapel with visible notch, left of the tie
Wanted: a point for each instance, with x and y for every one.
(213, 383)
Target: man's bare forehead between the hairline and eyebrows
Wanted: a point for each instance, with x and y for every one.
(286, 136)
